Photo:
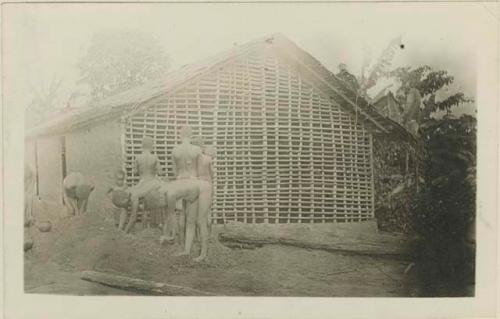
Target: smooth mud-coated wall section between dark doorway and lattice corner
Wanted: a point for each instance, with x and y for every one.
(95, 151)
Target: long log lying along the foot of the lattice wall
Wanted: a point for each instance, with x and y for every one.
(372, 245)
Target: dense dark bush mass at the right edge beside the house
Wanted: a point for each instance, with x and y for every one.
(442, 215)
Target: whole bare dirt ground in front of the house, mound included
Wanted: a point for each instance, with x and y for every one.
(91, 242)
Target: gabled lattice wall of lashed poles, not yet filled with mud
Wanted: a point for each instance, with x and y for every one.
(285, 153)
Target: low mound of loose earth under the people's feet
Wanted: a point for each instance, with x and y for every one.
(91, 242)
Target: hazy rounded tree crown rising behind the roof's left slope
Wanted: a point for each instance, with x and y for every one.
(118, 60)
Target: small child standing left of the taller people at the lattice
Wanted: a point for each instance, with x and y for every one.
(120, 196)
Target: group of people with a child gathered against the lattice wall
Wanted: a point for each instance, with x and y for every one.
(192, 187)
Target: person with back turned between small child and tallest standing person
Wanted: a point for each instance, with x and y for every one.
(147, 167)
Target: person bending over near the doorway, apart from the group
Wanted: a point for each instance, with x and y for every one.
(76, 192)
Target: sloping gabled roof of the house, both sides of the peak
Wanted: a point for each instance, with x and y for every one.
(131, 100)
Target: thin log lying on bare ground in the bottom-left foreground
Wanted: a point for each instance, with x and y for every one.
(136, 284)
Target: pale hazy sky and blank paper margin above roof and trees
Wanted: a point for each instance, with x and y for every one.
(45, 41)
